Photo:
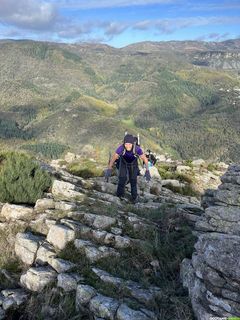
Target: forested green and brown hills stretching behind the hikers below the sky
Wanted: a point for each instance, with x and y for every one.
(182, 97)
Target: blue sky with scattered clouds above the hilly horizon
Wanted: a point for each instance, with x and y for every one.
(119, 22)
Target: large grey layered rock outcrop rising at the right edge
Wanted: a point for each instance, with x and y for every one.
(212, 275)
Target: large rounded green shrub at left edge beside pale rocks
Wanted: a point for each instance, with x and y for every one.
(21, 179)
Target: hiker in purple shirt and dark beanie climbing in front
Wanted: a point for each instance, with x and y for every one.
(126, 156)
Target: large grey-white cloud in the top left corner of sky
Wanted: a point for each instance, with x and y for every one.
(28, 14)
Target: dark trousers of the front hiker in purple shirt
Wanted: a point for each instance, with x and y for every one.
(127, 171)
